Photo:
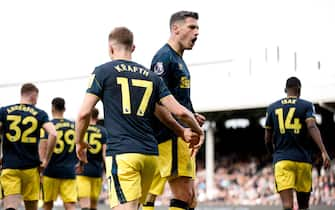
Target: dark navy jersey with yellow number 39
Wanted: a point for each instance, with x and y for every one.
(63, 159)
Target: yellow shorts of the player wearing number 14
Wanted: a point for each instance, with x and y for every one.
(293, 175)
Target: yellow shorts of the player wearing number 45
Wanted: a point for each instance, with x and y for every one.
(89, 187)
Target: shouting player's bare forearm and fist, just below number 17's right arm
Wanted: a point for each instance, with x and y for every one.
(169, 121)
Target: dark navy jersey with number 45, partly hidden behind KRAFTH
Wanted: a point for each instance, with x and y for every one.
(96, 136)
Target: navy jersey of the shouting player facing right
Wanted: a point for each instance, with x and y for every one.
(171, 67)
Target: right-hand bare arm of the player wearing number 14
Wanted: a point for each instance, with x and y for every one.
(314, 132)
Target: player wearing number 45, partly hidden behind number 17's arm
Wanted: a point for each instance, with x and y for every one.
(89, 181)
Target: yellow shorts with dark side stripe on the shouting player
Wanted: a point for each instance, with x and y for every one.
(175, 159)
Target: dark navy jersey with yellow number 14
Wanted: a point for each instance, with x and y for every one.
(287, 119)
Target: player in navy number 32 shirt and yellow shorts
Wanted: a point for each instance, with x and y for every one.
(21, 125)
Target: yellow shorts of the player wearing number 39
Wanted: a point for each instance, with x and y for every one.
(66, 188)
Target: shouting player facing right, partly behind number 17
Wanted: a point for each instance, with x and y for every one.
(176, 165)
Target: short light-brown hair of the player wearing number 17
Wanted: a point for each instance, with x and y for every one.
(122, 35)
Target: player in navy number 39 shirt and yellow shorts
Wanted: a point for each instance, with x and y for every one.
(59, 176)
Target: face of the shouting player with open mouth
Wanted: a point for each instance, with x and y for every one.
(187, 32)
